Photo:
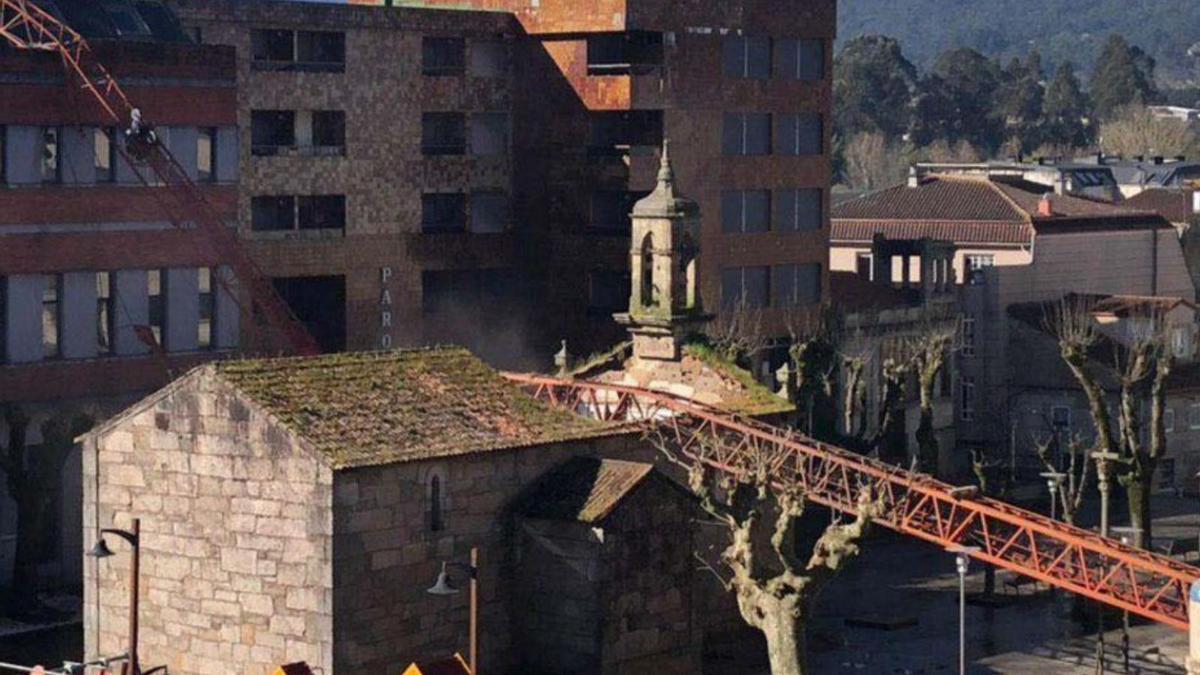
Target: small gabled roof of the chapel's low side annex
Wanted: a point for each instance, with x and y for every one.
(585, 489)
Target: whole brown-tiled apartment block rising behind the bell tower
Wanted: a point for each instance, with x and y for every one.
(417, 175)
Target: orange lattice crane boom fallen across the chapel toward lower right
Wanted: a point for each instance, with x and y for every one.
(1024, 542)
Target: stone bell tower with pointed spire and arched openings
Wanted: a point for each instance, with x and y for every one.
(664, 306)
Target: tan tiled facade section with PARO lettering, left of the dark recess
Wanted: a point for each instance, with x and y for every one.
(377, 169)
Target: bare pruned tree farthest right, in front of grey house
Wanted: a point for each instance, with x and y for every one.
(1142, 362)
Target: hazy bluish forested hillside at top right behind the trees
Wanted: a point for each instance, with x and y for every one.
(1061, 29)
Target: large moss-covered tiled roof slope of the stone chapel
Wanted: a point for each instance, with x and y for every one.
(383, 408)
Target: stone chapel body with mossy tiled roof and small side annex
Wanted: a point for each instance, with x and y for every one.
(298, 510)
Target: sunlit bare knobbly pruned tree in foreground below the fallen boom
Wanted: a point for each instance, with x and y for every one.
(760, 512)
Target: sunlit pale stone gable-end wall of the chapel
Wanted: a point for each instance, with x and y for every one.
(237, 537)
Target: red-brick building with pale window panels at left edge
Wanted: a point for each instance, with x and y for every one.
(86, 253)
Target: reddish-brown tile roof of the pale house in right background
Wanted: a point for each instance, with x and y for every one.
(977, 211)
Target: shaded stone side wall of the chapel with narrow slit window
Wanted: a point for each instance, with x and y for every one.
(386, 554)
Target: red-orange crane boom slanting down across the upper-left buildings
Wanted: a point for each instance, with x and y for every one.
(26, 26)
